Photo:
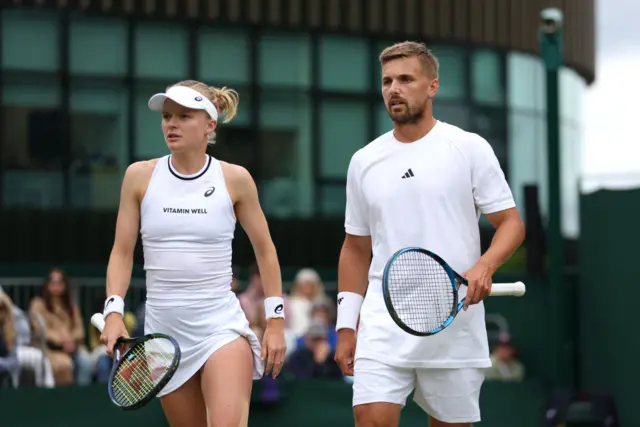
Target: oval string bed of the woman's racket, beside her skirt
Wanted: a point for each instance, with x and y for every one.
(141, 370)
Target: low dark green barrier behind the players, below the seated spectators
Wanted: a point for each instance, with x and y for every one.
(304, 403)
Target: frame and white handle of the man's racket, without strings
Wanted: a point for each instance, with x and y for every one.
(498, 289)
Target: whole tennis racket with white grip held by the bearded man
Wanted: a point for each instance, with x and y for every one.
(421, 291)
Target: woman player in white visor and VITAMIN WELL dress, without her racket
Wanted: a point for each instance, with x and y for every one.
(185, 206)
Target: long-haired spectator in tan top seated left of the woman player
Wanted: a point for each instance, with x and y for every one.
(64, 331)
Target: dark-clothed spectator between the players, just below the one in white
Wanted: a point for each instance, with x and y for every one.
(315, 358)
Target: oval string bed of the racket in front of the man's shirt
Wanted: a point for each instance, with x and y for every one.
(421, 292)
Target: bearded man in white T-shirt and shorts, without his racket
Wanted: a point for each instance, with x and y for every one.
(422, 184)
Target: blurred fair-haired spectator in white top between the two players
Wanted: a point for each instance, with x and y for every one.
(307, 287)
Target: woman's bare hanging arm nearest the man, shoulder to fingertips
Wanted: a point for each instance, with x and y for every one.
(251, 217)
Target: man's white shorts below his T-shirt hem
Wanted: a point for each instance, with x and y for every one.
(448, 395)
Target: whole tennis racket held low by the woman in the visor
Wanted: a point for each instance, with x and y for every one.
(142, 369)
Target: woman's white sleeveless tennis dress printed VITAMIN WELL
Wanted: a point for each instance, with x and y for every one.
(187, 227)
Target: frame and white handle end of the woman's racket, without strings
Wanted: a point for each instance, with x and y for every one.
(98, 321)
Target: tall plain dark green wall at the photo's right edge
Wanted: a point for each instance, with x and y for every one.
(609, 292)
